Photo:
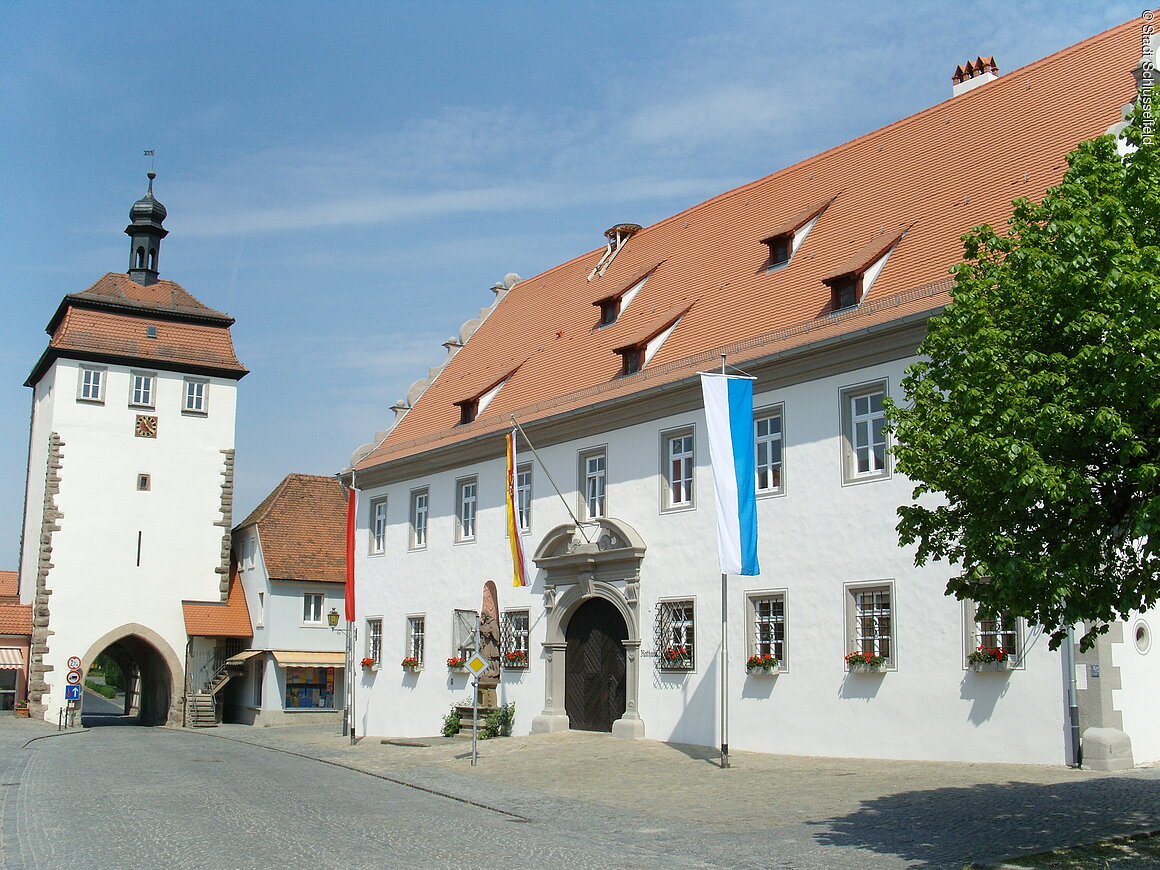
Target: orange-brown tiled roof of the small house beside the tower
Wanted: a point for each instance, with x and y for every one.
(302, 527)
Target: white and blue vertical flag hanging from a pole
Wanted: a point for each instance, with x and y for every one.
(729, 418)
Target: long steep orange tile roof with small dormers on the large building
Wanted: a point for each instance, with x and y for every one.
(940, 173)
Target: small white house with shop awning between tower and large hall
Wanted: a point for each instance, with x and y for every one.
(291, 554)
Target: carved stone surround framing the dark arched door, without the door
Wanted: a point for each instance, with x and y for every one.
(597, 560)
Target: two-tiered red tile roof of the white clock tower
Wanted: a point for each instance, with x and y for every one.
(108, 323)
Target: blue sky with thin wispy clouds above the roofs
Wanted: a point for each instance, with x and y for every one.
(350, 179)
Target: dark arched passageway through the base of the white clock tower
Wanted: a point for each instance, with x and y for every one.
(148, 680)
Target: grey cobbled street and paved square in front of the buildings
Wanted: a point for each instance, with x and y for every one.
(568, 800)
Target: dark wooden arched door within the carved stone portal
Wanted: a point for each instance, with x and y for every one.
(594, 685)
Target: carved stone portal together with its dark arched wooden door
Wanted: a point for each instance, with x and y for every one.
(593, 646)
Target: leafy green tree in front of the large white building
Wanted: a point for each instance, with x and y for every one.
(1033, 423)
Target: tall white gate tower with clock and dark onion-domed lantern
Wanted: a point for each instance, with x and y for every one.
(130, 478)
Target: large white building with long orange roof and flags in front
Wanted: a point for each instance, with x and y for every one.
(818, 281)
